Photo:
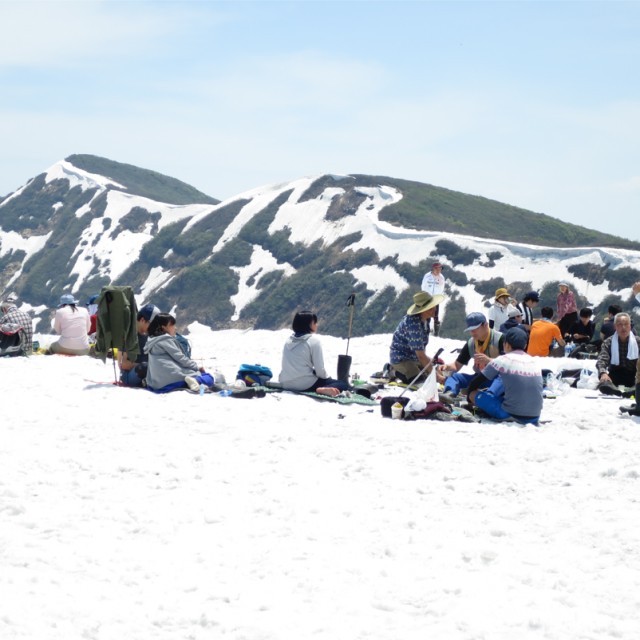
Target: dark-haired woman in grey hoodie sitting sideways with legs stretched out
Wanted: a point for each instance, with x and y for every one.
(169, 368)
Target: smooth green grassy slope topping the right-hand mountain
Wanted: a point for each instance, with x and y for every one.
(428, 208)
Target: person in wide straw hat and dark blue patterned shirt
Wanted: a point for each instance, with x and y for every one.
(407, 354)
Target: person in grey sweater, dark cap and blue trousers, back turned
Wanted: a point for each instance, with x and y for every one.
(518, 394)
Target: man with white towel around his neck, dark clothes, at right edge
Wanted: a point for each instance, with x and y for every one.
(618, 359)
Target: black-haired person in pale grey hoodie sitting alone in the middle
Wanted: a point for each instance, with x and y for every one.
(302, 360)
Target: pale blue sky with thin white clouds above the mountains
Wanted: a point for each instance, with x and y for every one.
(536, 104)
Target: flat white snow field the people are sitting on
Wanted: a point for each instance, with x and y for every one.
(129, 515)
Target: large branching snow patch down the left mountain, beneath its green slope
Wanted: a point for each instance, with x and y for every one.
(112, 256)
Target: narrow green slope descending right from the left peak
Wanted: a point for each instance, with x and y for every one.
(142, 182)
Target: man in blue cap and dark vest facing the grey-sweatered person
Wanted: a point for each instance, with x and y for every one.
(484, 345)
